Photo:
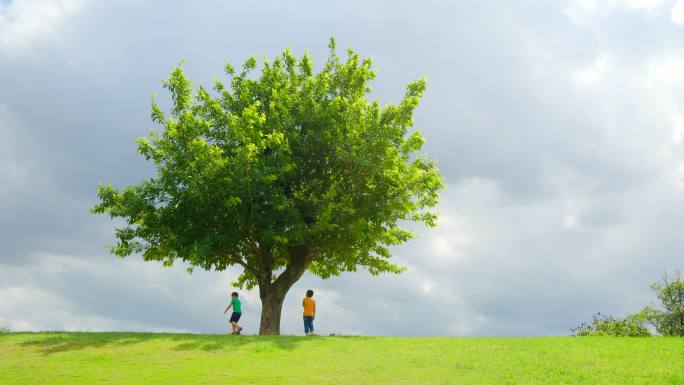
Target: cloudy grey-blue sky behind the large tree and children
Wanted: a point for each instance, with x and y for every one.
(558, 127)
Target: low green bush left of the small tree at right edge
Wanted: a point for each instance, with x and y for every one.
(603, 325)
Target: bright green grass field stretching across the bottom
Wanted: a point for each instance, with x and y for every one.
(140, 358)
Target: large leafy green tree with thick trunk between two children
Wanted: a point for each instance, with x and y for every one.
(280, 174)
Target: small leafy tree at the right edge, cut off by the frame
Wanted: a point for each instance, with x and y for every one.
(668, 318)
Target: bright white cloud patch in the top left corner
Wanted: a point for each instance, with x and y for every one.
(23, 22)
